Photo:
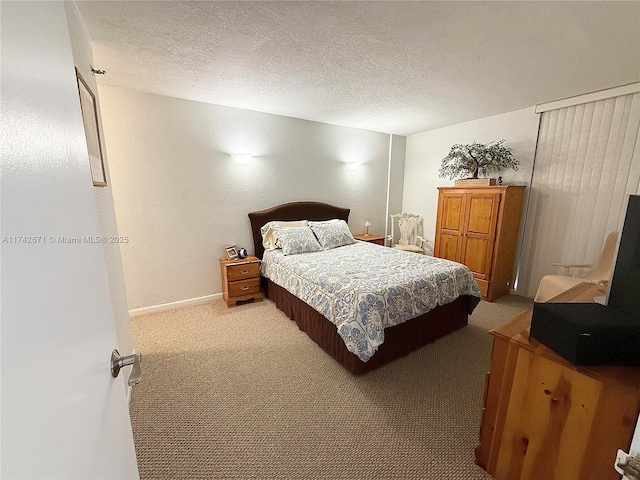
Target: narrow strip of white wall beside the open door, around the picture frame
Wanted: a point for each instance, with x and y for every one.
(83, 60)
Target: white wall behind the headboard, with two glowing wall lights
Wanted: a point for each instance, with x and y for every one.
(180, 198)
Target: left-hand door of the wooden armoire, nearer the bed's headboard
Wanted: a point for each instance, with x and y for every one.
(451, 226)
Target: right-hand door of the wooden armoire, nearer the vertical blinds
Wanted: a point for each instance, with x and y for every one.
(479, 234)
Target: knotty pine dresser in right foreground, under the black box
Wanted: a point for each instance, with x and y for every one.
(545, 418)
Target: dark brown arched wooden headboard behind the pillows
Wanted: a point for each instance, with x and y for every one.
(314, 211)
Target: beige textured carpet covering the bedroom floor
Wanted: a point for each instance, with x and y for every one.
(242, 393)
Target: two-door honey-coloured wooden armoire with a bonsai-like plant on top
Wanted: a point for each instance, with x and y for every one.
(478, 226)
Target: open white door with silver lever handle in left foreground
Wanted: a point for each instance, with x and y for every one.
(63, 415)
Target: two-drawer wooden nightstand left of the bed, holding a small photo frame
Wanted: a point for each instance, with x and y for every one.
(240, 280)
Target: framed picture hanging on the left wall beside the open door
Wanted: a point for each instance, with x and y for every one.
(92, 132)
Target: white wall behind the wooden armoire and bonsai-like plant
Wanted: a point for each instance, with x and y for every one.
(426, 150)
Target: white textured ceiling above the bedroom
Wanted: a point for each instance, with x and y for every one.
(394, 67)
